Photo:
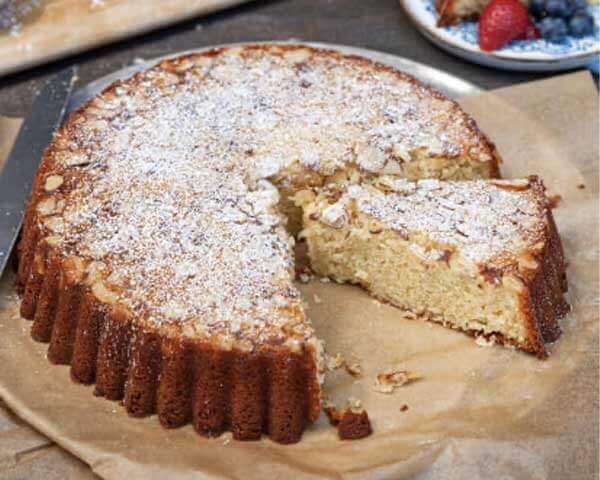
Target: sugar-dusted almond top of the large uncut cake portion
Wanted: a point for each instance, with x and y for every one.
(167, 170)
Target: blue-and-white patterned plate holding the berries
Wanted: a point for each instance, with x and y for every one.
(530, 55)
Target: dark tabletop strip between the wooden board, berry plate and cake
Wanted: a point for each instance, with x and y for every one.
(374, 24)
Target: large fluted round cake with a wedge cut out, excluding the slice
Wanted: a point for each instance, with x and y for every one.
(157, 250)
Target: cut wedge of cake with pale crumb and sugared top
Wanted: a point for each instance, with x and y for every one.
(481, 256)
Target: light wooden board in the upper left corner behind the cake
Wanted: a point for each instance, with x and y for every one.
(65, 27)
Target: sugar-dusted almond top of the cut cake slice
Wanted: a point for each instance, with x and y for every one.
(490, 221)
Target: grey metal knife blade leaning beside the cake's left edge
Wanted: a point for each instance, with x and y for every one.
(16, 178)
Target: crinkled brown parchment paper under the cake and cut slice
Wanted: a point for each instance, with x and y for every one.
(477, 413)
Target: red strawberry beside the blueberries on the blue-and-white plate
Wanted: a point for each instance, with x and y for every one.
(503, 21)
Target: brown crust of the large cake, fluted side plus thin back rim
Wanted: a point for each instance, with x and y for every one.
(269, 389)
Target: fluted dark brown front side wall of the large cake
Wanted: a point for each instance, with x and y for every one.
(270, 390)
